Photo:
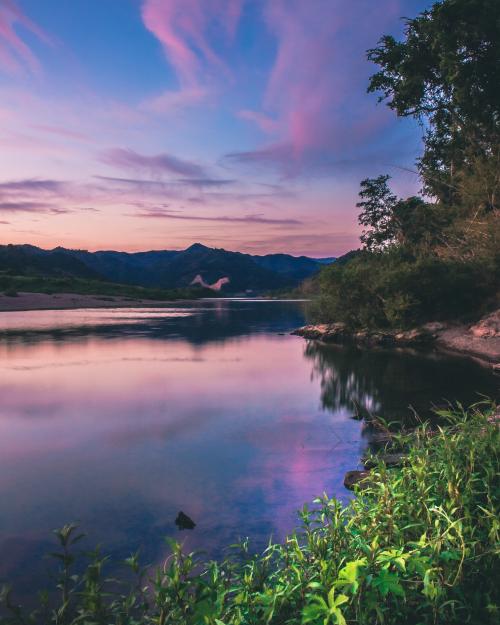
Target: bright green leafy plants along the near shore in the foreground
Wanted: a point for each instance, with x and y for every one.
(420, 545)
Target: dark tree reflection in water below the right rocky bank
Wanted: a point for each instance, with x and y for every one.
(395, 383)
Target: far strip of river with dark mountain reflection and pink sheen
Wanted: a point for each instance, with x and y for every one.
(197, 322)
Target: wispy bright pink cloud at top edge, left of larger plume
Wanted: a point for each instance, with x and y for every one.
(183, 26)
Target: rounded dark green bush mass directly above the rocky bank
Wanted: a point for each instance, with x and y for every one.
(393, 289)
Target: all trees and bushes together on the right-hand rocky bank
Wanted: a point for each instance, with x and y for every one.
(435, 256)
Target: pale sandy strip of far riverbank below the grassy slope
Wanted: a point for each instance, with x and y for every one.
(68, 301)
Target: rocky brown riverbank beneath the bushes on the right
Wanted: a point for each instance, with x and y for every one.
(480, 340)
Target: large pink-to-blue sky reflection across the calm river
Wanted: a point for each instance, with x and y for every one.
(123, 434)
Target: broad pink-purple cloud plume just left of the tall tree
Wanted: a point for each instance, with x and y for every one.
(314, 102)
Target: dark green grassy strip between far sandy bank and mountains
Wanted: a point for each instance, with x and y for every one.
(50, 285)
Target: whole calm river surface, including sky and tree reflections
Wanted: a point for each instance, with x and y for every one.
(119, 419)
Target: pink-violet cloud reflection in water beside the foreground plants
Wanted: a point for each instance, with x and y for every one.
(300, 457)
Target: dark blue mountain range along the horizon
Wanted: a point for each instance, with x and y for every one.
(231, 272)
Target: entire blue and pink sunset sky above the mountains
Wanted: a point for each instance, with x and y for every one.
(154, 124)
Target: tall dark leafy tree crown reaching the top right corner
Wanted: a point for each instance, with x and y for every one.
(446, 74)
